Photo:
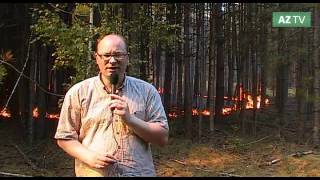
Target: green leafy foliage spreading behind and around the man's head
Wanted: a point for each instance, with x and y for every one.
(70, 41)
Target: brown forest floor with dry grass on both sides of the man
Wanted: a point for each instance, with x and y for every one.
(223, 153)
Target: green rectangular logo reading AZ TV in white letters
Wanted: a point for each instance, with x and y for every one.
(291, 19)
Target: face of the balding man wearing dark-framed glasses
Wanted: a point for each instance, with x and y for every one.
(111, 56)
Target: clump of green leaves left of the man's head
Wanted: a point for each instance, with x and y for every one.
(70, 42)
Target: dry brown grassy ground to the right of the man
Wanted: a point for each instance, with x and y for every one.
(183, 158)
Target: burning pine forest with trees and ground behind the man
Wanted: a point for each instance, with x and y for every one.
(242, 96)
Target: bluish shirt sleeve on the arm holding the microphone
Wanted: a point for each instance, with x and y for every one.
(155, 110)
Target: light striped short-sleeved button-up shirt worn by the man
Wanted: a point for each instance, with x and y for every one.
(85, 117)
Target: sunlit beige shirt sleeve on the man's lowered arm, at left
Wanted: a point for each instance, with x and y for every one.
(69, 120)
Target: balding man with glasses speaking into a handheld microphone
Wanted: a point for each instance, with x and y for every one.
(110, 134)
